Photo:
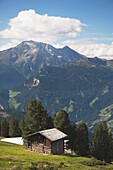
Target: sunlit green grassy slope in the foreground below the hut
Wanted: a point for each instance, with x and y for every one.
(18, 157)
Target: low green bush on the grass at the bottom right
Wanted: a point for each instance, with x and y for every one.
(94, 162)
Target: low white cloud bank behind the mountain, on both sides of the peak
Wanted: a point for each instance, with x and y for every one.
(88, 48)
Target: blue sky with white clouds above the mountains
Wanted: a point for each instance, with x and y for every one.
(84, 25)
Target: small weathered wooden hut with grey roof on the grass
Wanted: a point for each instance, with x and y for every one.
(49, 141)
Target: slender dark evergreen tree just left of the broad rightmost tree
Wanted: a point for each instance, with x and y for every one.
(82, 139)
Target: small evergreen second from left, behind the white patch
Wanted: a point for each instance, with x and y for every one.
(14, 129)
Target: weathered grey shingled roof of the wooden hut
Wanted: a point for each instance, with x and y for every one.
(51, 134)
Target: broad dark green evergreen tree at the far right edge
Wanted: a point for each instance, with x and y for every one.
(101, 143)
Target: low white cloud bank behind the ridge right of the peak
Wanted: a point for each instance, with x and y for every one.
(91, 48)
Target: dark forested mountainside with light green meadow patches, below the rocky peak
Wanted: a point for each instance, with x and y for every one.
(83, 89)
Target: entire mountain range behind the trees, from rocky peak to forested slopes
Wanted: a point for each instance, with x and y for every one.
(60, 78)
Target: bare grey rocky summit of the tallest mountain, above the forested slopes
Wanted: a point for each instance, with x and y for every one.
(29, 57)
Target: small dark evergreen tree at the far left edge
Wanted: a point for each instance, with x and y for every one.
(4, 128)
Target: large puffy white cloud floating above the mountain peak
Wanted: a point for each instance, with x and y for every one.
(30, 25)
